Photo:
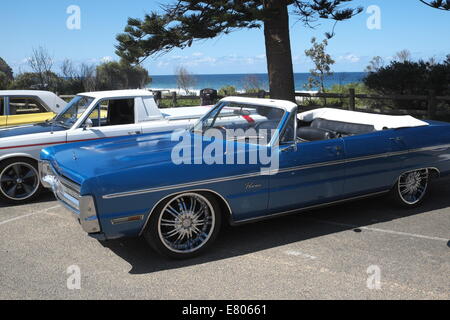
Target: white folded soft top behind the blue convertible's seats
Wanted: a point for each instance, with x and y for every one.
(379, 121)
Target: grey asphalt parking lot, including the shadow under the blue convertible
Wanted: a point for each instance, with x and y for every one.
(324, 254)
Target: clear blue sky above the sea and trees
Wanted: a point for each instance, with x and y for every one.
(405, 24)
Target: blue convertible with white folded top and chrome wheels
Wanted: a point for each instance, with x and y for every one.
(247, 159)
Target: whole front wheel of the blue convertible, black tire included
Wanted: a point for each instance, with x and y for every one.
(158, 240)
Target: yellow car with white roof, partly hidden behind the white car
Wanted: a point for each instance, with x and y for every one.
(19, 107)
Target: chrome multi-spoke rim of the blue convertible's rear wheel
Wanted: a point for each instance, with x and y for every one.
(412, 186)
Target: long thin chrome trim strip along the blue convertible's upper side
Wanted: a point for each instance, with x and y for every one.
(256, 174)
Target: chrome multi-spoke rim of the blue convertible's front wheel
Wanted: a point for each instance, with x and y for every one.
(186, 223)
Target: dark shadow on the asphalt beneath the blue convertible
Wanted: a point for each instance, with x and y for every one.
(252, 238)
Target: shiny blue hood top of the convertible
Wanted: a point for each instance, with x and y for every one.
(84, 160)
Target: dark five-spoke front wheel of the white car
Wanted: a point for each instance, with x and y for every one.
(19, 181)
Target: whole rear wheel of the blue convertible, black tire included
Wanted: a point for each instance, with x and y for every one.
(418, 182)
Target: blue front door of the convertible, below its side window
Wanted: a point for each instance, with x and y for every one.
(311, 174)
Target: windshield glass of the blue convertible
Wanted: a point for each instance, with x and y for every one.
(243, 122)
